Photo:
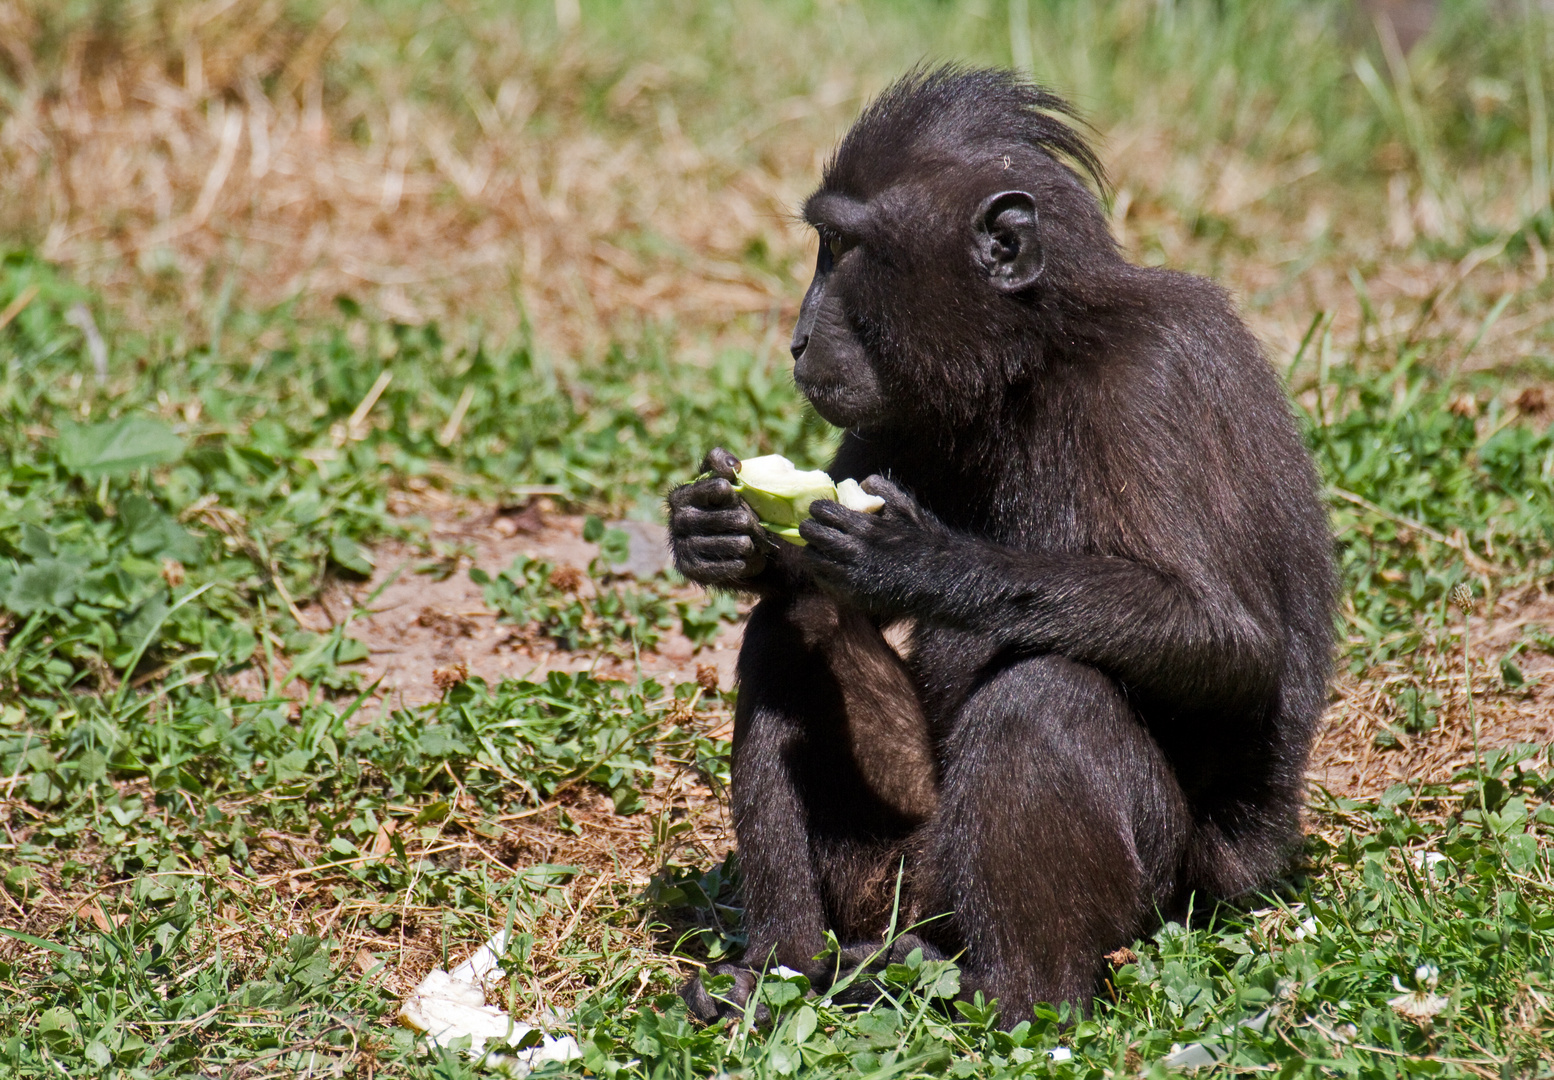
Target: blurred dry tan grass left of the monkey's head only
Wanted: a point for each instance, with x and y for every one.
(162, 167)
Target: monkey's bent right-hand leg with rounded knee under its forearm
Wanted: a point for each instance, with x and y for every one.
(1061, 827)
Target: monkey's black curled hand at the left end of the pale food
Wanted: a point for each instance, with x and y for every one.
(717, 540)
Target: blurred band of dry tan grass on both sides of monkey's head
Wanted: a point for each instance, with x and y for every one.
(212, 150)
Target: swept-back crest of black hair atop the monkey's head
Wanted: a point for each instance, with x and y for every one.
(947, 110)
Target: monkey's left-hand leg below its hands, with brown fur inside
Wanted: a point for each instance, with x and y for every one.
(832, 772)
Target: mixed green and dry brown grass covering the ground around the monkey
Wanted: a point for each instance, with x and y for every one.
(343, 257)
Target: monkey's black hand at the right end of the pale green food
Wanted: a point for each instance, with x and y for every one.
(874, 560)
